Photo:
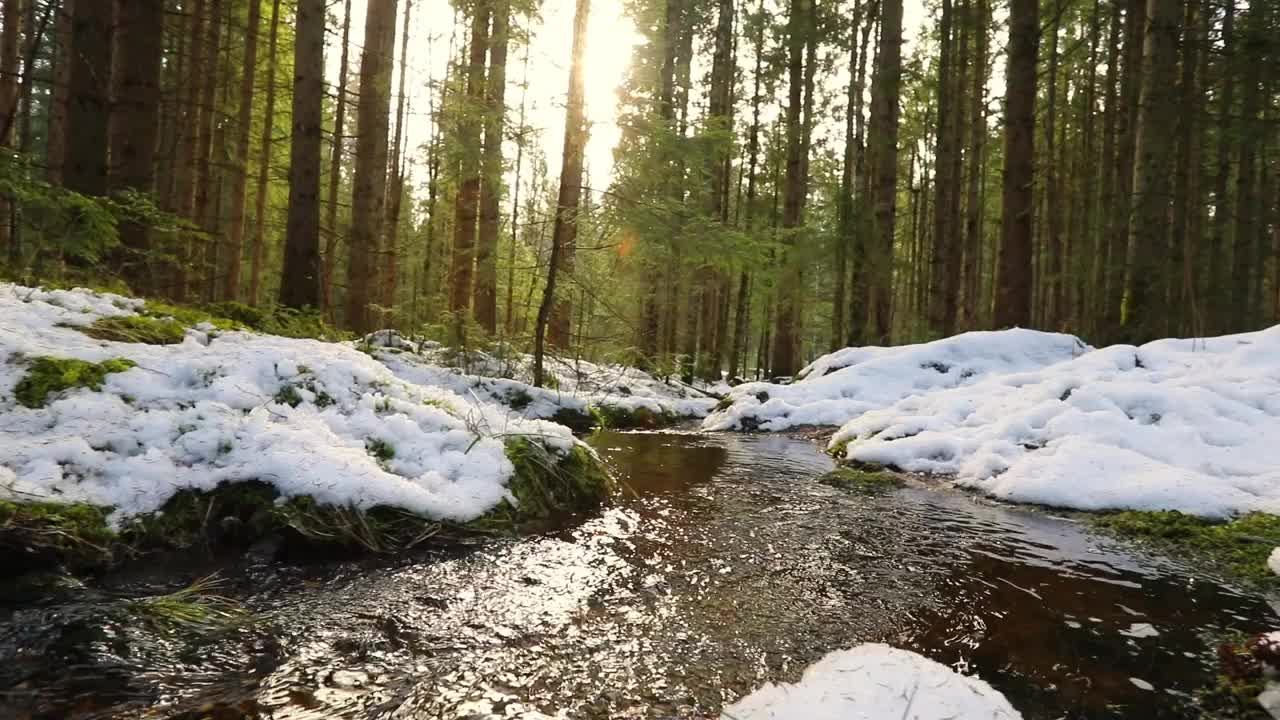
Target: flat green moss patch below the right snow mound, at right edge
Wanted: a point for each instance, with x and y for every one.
(1238, 548)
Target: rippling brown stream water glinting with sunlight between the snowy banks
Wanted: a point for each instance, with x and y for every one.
(724, 567)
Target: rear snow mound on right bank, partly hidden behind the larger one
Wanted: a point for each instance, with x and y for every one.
(851, 382)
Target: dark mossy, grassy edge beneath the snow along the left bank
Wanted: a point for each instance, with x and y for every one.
(547, 487)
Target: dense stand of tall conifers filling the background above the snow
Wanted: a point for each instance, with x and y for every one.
(790, 177)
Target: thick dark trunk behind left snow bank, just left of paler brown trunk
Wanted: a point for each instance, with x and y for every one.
(300, 282)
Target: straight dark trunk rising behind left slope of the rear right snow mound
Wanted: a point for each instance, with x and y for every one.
(884, 142)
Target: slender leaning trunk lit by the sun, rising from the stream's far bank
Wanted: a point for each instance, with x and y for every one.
(570, 184)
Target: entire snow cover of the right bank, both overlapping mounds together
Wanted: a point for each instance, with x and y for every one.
(1030, 417)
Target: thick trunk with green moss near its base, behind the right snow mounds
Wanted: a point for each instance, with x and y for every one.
(1149, 229)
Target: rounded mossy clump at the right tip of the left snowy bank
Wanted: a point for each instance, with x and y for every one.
(548, 486)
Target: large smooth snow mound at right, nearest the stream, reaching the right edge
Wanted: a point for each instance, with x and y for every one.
(1176, 425)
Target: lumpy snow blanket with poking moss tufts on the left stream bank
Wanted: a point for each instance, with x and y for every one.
(313, 418)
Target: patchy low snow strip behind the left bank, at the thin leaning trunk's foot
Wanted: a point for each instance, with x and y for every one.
(575, 386)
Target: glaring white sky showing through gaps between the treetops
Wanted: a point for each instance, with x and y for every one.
(611, 40)
